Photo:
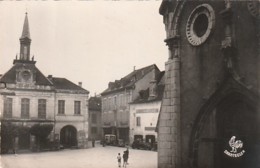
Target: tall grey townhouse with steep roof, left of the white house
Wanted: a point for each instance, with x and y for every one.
(116, 99)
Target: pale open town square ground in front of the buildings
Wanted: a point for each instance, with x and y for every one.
(98, 157)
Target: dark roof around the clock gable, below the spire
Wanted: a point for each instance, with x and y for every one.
(10, 76)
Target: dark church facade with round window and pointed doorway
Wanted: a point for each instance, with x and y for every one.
(210, 109)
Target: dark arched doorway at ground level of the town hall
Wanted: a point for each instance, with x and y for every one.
(68, 136)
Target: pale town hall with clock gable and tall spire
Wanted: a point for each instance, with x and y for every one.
(39, 112)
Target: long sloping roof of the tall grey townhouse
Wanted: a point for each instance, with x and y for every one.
(129, 80)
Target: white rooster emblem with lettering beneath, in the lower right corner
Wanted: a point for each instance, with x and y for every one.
(235, 145)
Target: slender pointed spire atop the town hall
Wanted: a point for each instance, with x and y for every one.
(25, 41)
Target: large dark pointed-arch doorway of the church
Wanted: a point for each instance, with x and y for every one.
(228, 113)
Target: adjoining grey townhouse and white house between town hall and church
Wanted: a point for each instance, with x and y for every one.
(131, 105)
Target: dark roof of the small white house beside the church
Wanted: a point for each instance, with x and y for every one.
(144, 94)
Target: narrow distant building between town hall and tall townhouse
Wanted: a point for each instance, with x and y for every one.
(95, 122)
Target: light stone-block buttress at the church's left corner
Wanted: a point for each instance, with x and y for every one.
(169, 124)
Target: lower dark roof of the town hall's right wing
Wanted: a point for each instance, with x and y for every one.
(65, 84)
